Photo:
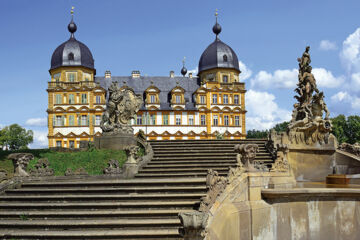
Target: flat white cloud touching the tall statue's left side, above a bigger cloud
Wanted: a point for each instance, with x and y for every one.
(279, 79)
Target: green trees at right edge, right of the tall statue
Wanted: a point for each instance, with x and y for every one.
(346, 129)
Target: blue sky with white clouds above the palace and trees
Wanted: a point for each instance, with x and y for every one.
(154, 36)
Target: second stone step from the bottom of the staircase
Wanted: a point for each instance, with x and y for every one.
(89, 223)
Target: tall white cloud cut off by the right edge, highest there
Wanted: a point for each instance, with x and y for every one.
(350, 54)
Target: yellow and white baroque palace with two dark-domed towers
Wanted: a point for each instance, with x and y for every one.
(187, 107)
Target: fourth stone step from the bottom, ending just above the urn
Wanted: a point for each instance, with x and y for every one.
(102, 205)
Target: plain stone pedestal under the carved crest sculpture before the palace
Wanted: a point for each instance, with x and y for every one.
(115, 142)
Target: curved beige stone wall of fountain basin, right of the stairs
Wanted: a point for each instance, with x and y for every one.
(244, 212)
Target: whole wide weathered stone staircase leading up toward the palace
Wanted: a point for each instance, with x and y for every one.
(145, 207)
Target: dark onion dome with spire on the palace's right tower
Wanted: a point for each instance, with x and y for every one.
(218, 56)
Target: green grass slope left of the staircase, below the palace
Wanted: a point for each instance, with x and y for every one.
(93, 161)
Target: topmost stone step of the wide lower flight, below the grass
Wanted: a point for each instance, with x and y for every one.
(116, 183)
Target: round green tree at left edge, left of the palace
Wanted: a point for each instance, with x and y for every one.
(15, 137)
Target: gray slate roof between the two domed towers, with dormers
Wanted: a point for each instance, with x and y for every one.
(164, 84)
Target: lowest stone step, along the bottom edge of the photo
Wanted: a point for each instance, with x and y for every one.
(170, 233)
